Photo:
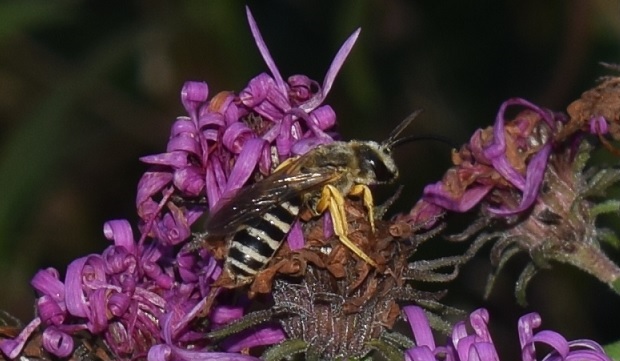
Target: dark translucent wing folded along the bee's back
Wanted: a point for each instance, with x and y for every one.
(256, 199)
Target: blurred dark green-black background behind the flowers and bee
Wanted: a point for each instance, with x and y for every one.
(87, 87)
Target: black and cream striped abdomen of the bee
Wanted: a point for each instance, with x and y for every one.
(253, 246)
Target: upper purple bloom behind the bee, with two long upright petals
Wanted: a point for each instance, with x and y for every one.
(230, 140)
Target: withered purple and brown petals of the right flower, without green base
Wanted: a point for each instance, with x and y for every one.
(499, 165)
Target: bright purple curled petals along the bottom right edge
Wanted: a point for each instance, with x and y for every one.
(477, 344)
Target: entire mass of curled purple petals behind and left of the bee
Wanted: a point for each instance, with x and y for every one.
(144, 297)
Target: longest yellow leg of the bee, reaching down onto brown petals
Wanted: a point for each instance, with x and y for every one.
(332, 199)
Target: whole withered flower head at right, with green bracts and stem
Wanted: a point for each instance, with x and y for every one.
(526, 176)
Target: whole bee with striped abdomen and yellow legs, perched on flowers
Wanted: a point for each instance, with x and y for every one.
(256, 219)
